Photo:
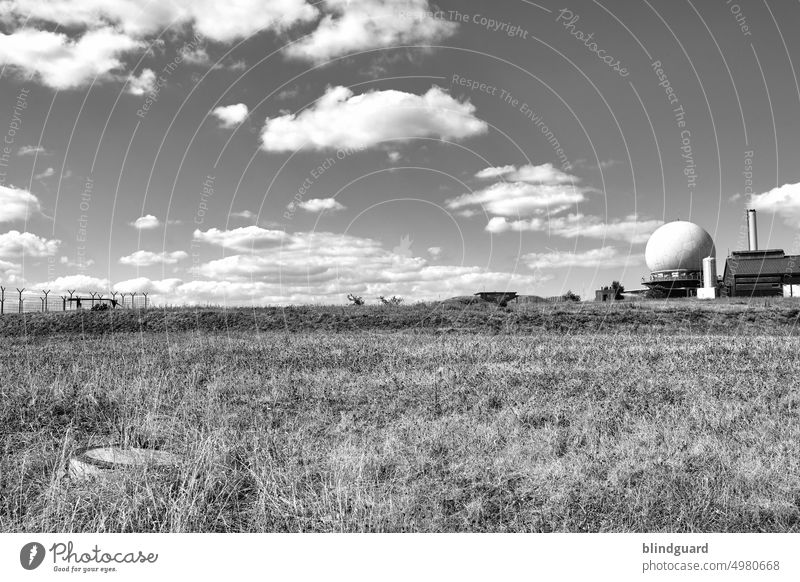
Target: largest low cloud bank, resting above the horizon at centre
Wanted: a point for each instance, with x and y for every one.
(324, 267)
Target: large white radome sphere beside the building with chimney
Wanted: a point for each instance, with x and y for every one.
(678, 245)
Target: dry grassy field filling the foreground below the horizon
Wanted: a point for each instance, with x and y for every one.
(654, 417)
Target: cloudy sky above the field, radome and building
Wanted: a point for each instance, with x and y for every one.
(255, 152)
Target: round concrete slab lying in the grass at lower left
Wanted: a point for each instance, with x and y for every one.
(98, 461)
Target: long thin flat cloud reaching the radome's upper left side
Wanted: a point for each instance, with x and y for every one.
(629, 229)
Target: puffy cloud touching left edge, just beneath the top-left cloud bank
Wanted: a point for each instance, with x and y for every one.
(61, 62)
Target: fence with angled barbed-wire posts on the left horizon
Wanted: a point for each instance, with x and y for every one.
(22, 301)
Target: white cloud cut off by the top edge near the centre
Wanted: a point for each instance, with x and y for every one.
(358, 25)
